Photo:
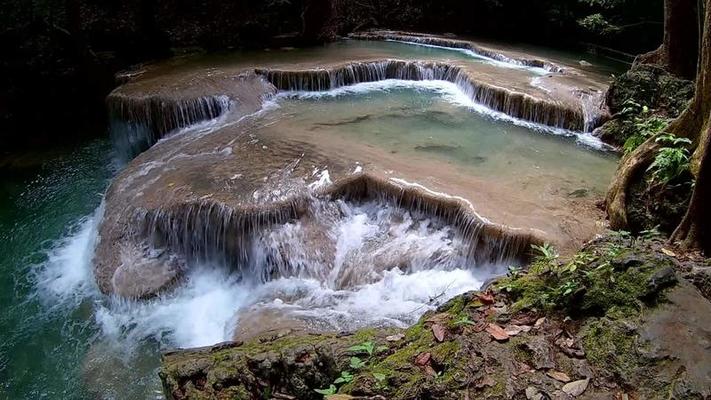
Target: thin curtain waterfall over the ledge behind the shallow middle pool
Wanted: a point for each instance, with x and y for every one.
(514, 104)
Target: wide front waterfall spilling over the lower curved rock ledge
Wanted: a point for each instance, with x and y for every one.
(304, 237)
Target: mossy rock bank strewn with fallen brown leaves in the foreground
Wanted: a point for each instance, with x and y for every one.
(653, 349)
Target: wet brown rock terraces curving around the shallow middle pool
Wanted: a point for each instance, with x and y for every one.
(204, 191)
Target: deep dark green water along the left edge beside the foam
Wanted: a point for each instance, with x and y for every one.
(44, 337)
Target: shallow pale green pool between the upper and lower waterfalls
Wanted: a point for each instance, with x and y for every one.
(433, 121)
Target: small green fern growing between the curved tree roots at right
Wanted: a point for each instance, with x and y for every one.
(671, 161)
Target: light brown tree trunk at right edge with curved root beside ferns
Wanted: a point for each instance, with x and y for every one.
(692, 123)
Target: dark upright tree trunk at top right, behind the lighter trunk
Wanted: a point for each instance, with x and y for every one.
(679, 50)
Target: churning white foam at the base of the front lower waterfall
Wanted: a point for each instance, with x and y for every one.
(370, 239)
